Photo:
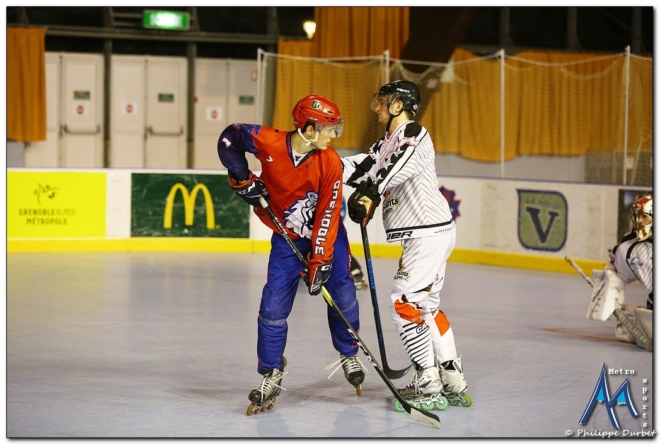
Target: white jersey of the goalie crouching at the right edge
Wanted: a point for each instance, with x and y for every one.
(633, 260)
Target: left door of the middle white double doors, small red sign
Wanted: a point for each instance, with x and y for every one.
(127, 112)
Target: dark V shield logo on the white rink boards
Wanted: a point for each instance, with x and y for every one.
(542, 219)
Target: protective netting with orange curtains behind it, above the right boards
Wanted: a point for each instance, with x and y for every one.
(489, 110)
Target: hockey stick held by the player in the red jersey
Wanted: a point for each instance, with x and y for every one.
(427, 417)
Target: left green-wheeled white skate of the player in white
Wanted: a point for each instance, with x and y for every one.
(424, 391)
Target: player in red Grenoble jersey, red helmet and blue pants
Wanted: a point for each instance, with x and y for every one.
(301, 178)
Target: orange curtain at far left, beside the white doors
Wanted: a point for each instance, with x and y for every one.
(26, 84)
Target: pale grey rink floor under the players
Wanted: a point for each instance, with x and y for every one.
(159, 345)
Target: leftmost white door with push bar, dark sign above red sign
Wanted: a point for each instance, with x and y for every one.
(82, 110)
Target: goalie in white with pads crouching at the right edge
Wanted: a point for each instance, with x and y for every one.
(631, 259)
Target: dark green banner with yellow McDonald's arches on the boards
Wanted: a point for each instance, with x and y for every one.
(186, 205)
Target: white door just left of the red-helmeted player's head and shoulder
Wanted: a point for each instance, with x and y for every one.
(210, 110)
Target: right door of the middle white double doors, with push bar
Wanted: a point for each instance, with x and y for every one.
(165, 132)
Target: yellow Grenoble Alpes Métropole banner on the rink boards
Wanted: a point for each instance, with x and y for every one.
(55, 204)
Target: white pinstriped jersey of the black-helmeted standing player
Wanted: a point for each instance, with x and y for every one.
(402, 165)
